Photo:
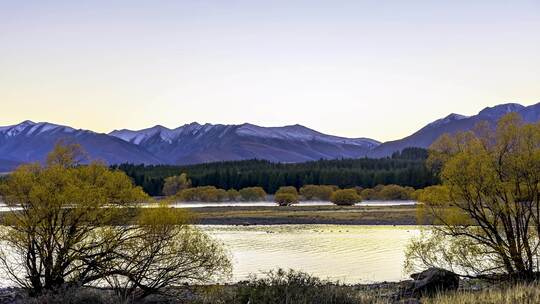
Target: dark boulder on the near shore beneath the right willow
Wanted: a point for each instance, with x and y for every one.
(431, 281)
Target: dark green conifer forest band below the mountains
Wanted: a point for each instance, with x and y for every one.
(405, 169)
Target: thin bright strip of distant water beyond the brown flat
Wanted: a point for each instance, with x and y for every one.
(270, 204)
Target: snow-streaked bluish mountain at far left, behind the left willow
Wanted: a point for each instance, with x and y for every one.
(30, 141)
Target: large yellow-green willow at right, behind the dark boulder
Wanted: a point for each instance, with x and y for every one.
(488, 206)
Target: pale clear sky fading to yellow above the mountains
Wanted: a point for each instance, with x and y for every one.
(378, 69)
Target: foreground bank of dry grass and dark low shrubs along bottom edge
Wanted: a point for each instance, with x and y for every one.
(285, 288)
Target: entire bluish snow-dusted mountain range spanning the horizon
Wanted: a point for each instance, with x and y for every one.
(199, 143)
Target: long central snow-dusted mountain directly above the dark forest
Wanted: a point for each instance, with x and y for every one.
(196, 143)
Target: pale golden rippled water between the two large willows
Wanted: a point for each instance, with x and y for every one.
(350, 254)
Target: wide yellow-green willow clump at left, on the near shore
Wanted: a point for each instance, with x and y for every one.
(82, 225)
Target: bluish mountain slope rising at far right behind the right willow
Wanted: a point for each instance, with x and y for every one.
(454, 123)
